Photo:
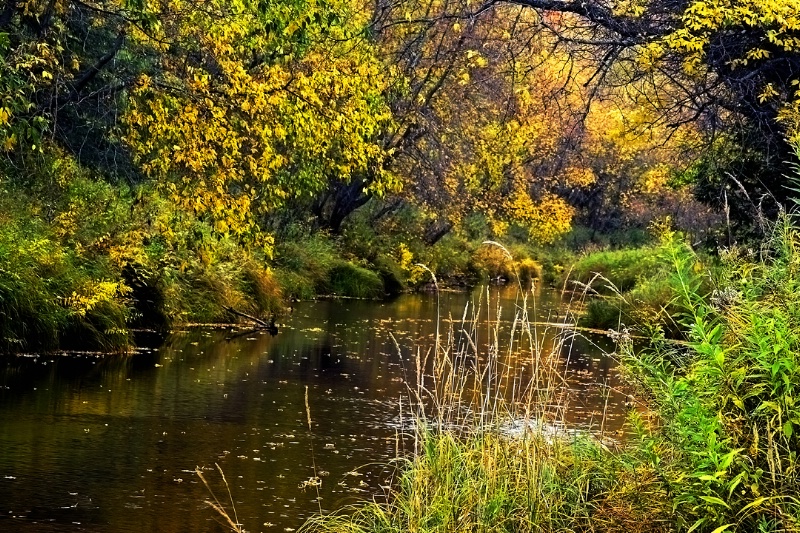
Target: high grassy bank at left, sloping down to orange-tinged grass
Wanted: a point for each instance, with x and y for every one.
(83, 263)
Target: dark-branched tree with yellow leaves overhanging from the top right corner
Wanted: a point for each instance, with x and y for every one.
(729, 67)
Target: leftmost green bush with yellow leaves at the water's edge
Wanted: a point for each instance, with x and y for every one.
(47, 294)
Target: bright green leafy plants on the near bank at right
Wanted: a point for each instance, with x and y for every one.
(727, 437)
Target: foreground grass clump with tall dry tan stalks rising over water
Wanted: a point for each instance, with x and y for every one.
(490, 447)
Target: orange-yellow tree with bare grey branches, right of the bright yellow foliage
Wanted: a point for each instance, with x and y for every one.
(474, 125)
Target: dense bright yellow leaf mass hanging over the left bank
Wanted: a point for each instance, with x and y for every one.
(237, 141)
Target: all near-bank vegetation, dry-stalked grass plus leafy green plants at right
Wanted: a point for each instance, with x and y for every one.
(716, 449)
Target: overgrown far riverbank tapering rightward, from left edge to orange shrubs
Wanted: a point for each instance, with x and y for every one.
(82, 263)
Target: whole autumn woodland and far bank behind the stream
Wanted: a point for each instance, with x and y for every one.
(170, 161)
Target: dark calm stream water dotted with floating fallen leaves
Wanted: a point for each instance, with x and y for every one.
(111, 443)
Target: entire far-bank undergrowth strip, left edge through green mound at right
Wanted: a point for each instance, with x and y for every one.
(85, 259)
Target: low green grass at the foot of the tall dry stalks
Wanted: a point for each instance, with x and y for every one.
(491, 483)
